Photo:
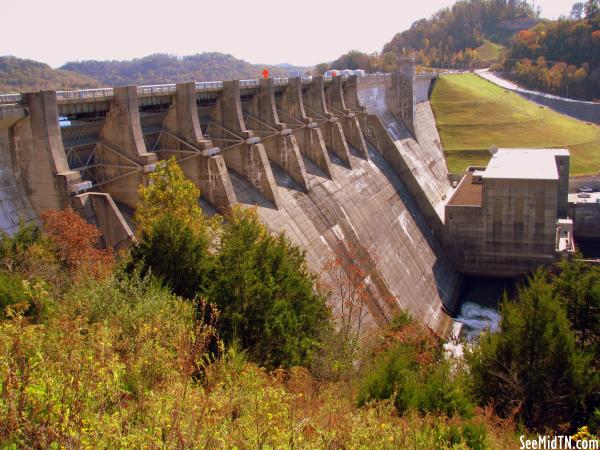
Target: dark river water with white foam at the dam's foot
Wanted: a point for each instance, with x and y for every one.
(479, 304)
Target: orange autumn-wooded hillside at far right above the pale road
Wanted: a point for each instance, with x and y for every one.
(561, 57)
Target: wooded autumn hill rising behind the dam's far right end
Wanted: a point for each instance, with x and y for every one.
(471, 32)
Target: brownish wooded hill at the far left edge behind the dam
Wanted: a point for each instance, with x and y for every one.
(18, 75)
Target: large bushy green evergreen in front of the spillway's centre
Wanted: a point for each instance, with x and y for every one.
(266, 294)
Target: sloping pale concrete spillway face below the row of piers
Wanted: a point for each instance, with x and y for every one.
(368, 209)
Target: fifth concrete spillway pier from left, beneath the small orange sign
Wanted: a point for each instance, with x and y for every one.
(280, 144)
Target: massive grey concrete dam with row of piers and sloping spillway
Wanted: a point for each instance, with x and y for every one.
(346, 166)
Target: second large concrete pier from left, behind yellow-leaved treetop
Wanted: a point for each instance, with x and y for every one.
(125, 162)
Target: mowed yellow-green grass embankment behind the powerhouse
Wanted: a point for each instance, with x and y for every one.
(473, 114)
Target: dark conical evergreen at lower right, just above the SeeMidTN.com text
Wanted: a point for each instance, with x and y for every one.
(532, 368)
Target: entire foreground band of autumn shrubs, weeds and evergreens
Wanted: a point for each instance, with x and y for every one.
(226, 342)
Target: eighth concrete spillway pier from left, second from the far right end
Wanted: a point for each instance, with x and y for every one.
(334, 95)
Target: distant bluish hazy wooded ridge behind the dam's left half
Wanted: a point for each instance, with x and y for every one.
(162, 68)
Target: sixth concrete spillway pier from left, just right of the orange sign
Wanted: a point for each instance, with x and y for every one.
(308, 135)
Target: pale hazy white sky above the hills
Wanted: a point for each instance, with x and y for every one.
(303, 32)
